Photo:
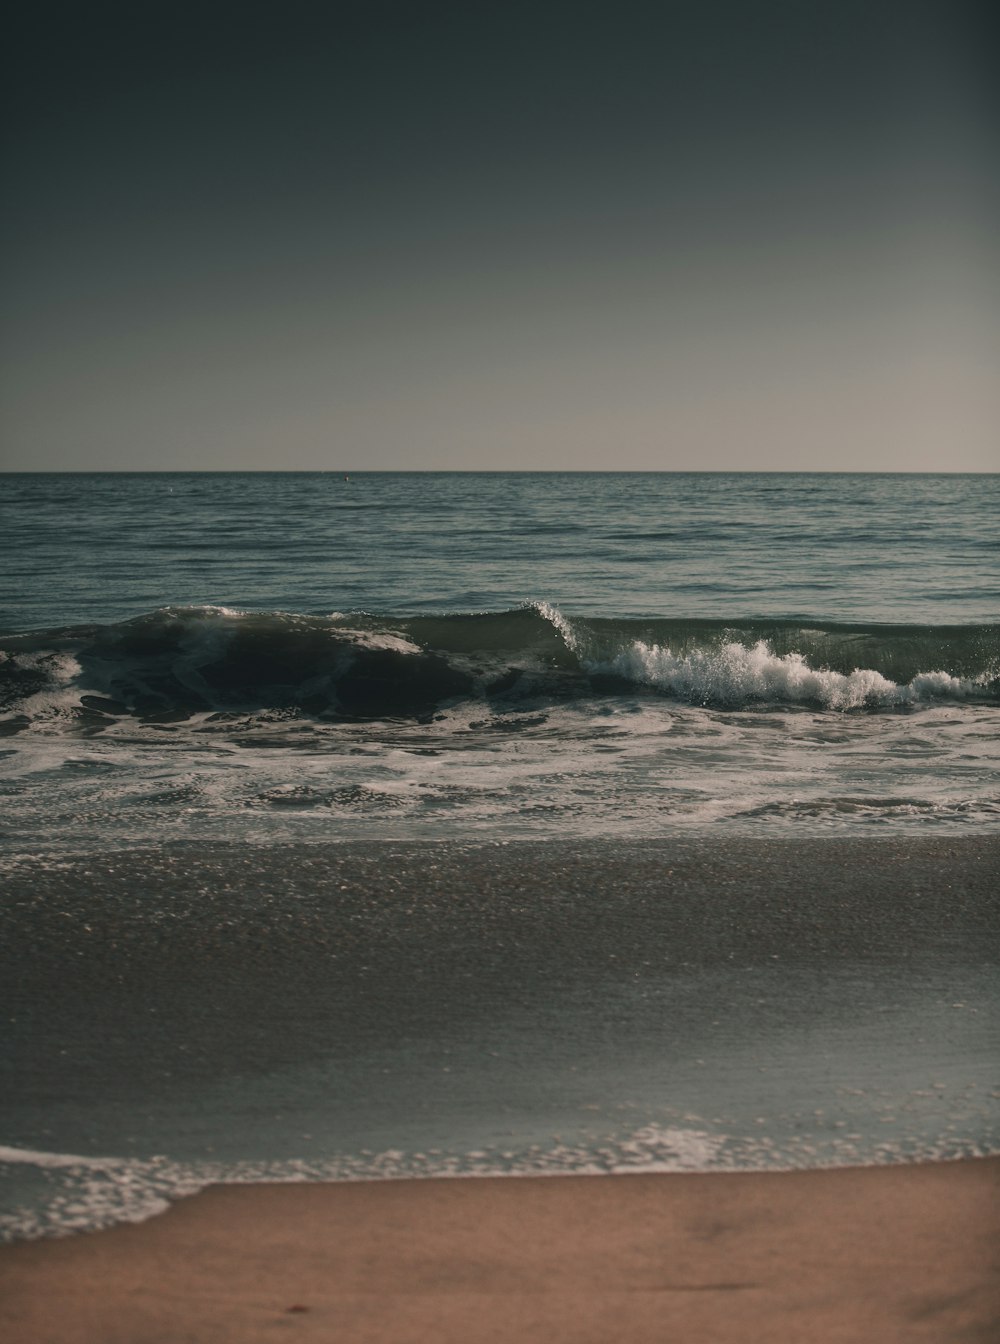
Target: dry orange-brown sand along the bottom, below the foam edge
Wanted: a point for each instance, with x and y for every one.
(861, 1256)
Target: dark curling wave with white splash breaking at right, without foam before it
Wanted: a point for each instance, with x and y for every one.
(185, 661)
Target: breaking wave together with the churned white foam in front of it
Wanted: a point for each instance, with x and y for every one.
(210, 722)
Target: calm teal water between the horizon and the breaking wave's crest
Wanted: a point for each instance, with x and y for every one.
(896, 549)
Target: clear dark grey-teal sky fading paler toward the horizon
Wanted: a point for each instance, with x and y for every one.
(724, 236)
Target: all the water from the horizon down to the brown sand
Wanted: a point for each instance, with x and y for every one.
(373, 825)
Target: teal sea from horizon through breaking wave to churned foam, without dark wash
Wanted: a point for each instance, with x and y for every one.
(330, 657)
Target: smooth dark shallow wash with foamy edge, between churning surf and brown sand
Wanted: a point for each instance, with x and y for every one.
(186, 1017)
